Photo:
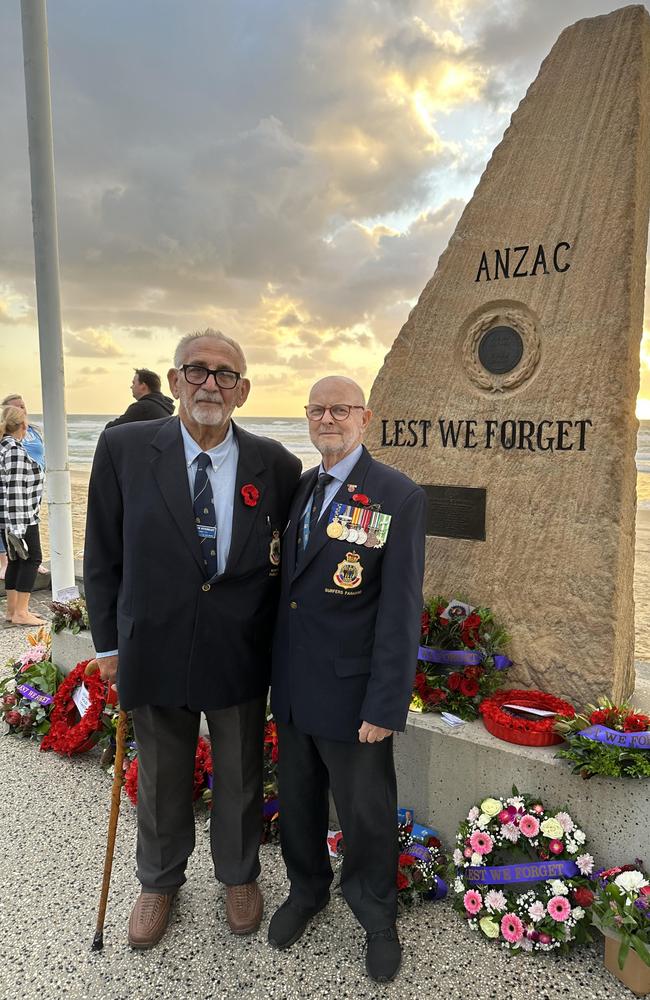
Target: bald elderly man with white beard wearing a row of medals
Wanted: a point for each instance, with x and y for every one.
(344, 657)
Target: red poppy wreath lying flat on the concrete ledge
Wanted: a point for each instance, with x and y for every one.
(527, 732)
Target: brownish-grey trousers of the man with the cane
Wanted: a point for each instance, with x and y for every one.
(166, 739)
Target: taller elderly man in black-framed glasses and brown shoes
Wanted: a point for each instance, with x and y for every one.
(181, 574)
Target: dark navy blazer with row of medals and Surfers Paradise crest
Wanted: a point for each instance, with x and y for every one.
(343, 656)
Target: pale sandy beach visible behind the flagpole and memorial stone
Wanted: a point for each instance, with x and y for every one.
(641, 570)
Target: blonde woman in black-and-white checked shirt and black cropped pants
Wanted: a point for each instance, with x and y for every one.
(21, 491)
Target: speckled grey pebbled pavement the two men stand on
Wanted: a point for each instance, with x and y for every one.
(52, 831)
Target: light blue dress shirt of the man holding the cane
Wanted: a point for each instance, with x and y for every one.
(222, 473)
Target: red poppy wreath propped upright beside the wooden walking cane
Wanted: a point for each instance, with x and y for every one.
(68, 733)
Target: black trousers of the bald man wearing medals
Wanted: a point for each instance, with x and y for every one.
(362, 779)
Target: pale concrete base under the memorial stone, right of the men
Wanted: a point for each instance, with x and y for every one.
(442, 773)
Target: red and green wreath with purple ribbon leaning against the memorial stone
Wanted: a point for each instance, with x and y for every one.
(460, 659)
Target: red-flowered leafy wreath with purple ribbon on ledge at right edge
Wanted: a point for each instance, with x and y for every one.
(595, 745)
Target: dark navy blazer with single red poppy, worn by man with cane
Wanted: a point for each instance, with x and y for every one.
(182, 640)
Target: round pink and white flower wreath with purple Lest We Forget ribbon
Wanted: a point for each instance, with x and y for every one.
(541, 901)
